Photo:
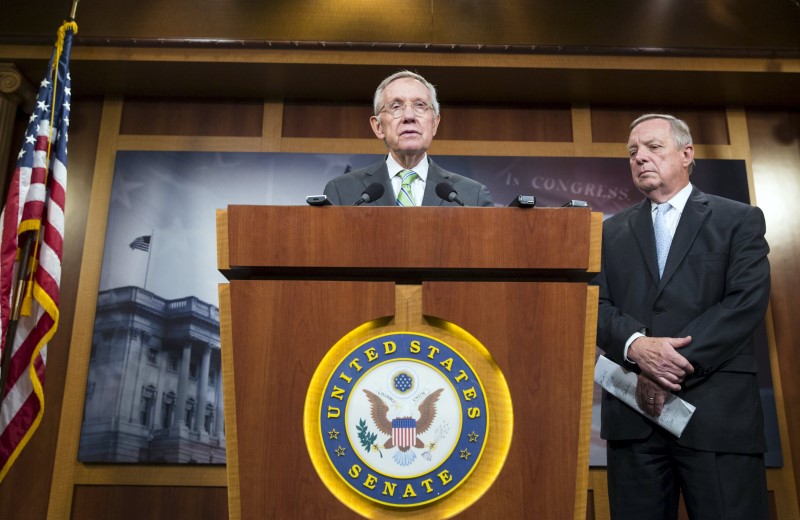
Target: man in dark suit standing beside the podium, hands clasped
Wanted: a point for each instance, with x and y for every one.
(686, 331)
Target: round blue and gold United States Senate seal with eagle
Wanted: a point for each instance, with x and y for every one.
(403, 419)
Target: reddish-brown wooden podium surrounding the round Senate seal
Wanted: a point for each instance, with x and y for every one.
(302, 278)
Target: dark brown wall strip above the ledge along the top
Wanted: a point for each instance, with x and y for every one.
(741, 26)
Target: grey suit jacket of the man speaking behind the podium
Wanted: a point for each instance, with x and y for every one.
(347, 189)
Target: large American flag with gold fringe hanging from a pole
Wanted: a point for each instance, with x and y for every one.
(34, 207)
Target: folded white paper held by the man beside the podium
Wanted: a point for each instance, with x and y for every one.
(622, 384)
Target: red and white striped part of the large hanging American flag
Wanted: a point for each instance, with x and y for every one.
(22, 407)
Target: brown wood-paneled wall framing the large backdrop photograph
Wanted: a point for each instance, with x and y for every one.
(101, 127)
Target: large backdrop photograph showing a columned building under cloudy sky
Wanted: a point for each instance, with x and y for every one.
(154, 390)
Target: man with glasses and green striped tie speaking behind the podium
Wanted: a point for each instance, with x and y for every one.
(406, 118)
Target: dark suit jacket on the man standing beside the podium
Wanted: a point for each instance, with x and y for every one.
(715, 288)
